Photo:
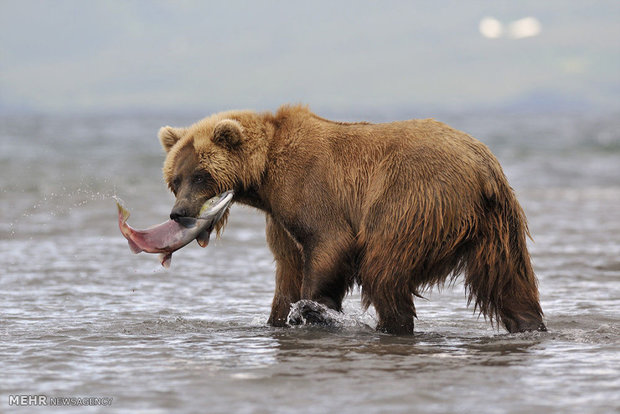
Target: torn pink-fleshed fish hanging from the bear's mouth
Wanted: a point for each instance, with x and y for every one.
(170, 236)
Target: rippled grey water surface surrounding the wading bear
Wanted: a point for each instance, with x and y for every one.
(82, 316)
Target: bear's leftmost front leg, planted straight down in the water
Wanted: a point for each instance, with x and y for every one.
(289, 271)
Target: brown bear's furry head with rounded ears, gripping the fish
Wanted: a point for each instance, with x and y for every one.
(227, 151)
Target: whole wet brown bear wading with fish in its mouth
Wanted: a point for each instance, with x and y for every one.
(395, 208)
